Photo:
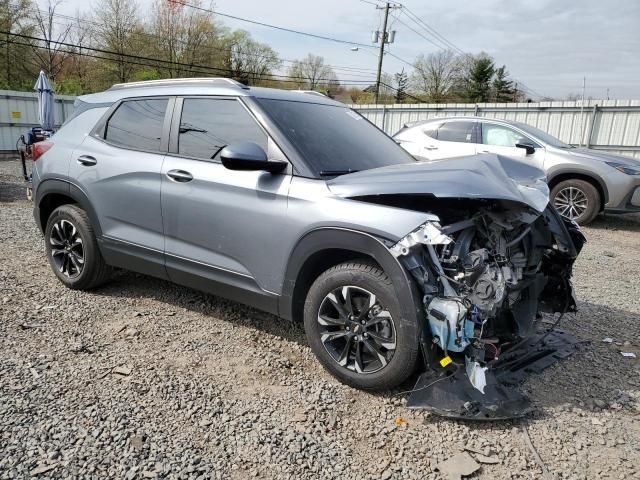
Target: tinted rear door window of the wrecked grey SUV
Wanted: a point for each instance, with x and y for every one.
(137, 124)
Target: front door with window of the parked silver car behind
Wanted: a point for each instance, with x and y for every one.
(502, 140)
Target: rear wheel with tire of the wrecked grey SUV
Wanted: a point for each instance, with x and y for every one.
(72, 249)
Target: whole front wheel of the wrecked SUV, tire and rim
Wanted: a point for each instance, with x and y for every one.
(386, 331)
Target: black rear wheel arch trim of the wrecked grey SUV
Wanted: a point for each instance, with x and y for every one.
(53, 193)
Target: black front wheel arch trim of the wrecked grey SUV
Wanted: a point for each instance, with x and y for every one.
(323, 248)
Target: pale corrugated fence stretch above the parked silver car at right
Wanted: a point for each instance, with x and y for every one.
(611, 125)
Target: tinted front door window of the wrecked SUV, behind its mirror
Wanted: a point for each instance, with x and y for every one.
(208, 125)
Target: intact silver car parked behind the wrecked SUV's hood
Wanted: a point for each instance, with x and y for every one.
(583, 182)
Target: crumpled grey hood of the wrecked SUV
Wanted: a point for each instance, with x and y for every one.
(487, 176)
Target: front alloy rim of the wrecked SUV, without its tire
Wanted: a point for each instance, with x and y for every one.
(356, 330)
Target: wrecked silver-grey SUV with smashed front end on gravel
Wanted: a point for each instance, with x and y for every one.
(295, 204)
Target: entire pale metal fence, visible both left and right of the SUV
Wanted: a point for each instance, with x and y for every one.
(611, 125)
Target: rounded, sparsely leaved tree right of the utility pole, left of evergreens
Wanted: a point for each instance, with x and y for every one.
(435, 75)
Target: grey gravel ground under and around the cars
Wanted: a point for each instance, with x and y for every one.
(144, 379)
